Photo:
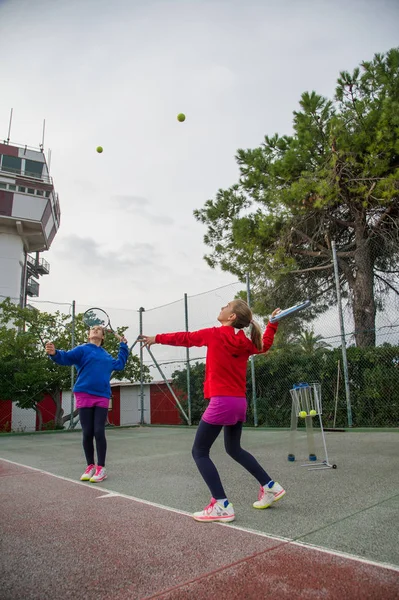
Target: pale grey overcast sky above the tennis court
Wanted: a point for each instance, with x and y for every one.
(116, 74)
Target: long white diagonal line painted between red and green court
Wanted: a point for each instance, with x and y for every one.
(289, 541)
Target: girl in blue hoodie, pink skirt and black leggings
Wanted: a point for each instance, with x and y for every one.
(92, 393)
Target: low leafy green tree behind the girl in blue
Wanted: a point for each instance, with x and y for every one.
(27, 374)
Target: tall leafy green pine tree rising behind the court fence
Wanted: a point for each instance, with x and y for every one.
(335, 179)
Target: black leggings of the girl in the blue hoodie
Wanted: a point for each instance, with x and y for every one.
(93, 426)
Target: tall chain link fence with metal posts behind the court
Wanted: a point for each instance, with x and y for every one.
(360, 386)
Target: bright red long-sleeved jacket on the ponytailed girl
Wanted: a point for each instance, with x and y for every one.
(227, 356)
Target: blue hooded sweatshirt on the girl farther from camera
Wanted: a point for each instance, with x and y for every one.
(94, 366)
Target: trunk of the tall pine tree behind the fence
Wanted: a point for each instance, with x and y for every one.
(364, 309)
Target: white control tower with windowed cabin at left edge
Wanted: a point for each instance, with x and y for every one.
(29, 219)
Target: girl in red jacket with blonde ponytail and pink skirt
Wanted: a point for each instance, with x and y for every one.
(225, 385)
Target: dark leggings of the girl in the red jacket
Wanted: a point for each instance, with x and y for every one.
(205, 437)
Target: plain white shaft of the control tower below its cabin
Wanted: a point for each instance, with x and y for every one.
(11, 257)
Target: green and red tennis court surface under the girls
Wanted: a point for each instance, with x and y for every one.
(333, 536)
